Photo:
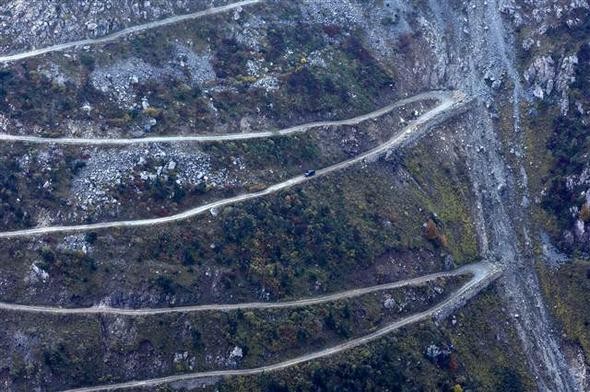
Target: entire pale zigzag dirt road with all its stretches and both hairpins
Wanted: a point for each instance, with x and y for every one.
(482, 273)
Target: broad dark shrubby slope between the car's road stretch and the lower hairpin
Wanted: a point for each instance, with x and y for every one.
(339, 231)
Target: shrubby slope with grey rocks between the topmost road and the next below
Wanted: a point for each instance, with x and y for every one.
(346, 80)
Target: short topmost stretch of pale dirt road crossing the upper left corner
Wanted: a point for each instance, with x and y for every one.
(125, 32)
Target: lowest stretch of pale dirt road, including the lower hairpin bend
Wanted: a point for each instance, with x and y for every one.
(483, 274)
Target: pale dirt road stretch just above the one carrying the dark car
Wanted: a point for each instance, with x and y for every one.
(437, 95)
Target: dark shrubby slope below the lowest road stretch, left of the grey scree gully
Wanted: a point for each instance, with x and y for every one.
(399, 362)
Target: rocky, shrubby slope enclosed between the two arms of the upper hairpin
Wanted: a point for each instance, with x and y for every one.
(262, 162)
